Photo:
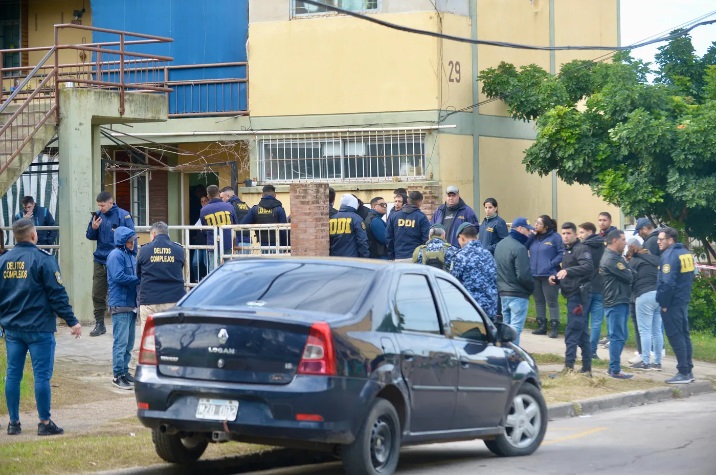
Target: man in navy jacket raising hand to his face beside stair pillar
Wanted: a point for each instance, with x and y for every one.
(101, 229)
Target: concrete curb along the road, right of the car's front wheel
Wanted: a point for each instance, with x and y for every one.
(629, 399)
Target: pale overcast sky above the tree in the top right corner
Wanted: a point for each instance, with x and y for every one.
(641, 19)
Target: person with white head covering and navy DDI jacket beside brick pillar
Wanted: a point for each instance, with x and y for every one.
(347, 230)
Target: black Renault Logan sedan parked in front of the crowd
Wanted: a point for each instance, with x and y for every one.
(354, 356)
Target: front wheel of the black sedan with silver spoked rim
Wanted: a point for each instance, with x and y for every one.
(525, 424)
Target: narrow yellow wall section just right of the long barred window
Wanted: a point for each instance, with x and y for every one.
(456, 164)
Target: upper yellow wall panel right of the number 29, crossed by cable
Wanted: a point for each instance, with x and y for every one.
(514, 21)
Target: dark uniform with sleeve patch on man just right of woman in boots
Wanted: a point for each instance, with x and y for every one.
(576, 288)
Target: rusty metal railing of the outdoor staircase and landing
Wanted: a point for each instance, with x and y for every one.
(34, 98)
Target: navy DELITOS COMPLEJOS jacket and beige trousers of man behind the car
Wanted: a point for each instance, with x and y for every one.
(160, 267)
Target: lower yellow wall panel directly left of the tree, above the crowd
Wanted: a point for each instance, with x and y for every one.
(503, 177)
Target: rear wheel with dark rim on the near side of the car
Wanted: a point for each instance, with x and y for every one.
(377, 446)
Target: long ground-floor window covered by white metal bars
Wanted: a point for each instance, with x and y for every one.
(367, 158)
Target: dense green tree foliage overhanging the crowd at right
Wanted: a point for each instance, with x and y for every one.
(649, 148)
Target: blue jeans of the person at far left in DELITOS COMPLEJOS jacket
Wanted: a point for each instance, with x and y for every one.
(41, 346)
